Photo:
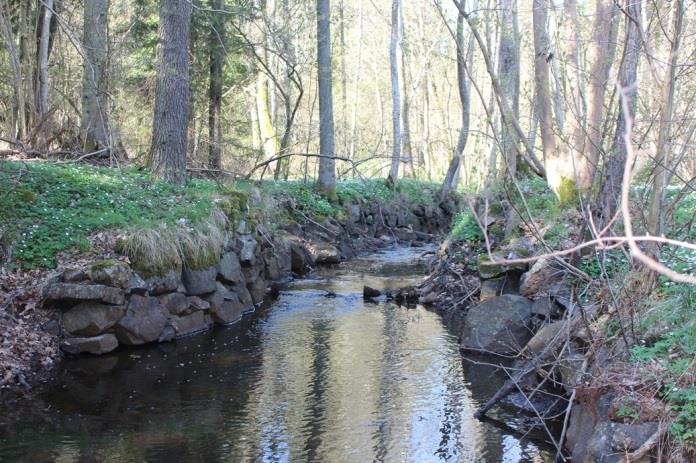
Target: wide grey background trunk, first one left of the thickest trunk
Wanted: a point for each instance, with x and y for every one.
(95, 102)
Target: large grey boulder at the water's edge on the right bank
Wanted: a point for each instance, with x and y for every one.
(500, 325)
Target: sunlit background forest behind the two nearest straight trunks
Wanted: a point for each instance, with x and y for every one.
(254, 95)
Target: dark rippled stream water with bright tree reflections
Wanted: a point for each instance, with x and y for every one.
(307, 378)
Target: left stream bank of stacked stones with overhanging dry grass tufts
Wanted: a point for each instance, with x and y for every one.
(143, 289)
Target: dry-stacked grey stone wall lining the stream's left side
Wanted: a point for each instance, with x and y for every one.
(108, 304)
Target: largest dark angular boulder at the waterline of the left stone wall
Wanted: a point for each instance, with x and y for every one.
(144, 321)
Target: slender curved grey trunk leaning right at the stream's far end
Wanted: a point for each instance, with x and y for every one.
(464, 63)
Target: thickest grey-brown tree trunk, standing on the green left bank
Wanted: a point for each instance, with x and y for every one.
(172, 103)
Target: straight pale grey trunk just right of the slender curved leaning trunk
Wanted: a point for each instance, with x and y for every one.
(509, 75)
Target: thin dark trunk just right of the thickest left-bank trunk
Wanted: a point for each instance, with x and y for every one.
(216, 44)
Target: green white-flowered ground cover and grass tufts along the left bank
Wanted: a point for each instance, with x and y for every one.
(46, 208)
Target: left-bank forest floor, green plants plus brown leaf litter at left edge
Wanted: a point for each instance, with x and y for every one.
(55, 216)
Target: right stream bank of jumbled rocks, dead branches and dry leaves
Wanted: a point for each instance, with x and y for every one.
(524, 318)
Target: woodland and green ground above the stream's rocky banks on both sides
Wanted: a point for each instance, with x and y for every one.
(570, 121)
